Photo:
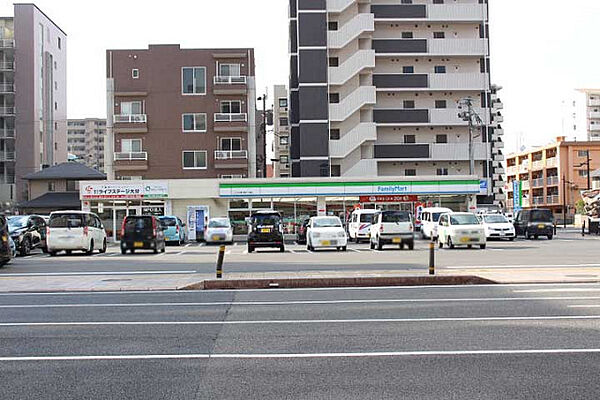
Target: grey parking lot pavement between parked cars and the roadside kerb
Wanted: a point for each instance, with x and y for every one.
(569, 249)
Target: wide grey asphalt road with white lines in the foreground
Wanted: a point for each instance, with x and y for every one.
(484, 342)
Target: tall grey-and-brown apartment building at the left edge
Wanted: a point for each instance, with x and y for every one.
(33, 98)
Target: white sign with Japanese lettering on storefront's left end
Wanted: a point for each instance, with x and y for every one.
(124, 190)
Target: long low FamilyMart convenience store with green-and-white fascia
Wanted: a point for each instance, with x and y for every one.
(196, 200)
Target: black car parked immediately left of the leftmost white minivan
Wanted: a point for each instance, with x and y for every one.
(28, 232)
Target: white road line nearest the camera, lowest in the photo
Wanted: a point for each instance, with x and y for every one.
(301, 355)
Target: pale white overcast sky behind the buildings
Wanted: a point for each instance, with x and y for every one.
(541, 49)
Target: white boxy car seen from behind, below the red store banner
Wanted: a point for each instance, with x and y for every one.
(393, 227)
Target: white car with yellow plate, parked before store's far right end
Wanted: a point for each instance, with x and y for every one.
(461, 229)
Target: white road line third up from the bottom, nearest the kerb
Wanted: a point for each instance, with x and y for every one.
(301, 302)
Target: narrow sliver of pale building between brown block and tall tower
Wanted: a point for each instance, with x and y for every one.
(281, 130)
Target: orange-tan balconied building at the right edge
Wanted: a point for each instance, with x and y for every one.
(538, 176)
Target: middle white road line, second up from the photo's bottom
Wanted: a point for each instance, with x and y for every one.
(300, 322)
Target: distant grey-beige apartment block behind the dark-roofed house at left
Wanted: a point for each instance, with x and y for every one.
(85, 141)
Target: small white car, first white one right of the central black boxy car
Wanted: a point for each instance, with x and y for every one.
(326, 232)
